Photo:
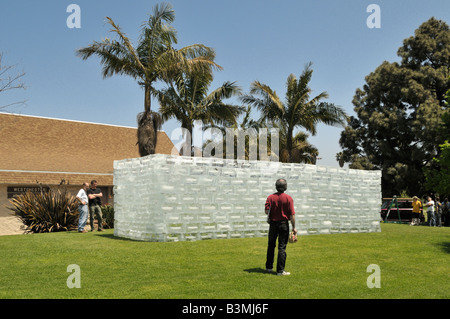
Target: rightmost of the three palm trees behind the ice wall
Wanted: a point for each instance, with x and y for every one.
(298, 110)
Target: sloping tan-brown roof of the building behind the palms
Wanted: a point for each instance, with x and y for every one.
(32, 145)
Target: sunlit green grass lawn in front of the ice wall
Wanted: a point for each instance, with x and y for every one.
(414, 263)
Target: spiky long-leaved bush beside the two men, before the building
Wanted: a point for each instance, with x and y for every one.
(46, 211)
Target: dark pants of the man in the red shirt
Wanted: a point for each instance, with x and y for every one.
(278, 230)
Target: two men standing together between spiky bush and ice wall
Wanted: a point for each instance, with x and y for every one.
(90, 202)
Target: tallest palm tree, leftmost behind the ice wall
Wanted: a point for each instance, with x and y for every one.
(153, 59)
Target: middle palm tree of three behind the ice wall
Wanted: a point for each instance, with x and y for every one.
(187, 100)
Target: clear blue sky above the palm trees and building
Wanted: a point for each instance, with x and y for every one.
(254, 40)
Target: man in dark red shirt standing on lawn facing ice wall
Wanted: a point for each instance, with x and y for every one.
(280, 209)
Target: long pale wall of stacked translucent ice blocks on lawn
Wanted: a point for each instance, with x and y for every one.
(174, 198)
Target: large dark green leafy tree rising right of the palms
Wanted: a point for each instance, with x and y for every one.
(397, 127)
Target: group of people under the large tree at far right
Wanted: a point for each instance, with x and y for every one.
(438, 213)
